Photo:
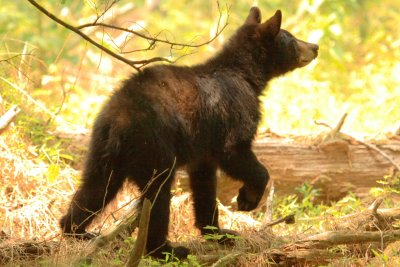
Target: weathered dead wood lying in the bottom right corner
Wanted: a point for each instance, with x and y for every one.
(371, 226)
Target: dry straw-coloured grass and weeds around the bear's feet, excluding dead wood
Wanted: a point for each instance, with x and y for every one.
(32, 203)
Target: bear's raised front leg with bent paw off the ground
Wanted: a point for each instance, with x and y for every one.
(240, 163)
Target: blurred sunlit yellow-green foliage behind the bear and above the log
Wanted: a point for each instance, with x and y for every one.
(356, 72)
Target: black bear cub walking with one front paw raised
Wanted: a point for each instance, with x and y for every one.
(202, 118)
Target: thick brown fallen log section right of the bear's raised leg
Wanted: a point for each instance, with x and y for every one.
(340, 167)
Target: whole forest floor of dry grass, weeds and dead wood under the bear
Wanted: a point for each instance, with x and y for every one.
(34, 195)
